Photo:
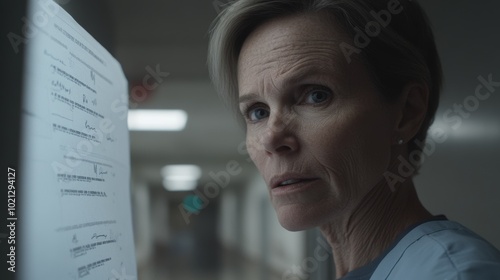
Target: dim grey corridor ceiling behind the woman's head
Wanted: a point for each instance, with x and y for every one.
(172, 35)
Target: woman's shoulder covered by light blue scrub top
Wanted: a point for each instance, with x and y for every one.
(442, 250)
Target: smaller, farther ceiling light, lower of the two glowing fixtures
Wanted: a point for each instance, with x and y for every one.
(182, 177)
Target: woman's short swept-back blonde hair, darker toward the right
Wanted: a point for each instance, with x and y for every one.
(403, 51)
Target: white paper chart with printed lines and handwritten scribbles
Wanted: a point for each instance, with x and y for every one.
(76, 214)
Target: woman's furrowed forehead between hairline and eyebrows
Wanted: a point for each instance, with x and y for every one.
(273, 58)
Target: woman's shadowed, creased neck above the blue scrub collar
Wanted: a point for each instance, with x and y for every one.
(361, 235)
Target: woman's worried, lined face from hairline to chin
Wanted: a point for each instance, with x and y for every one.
(317, 129)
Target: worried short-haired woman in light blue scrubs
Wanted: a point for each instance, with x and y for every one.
(336, 97)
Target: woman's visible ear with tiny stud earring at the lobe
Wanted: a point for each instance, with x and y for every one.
(412, 110)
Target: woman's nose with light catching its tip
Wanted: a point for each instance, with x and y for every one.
(279, 137)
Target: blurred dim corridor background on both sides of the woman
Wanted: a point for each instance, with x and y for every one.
(226, 227)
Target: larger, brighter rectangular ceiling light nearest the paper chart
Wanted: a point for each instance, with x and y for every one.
(157, 120)
